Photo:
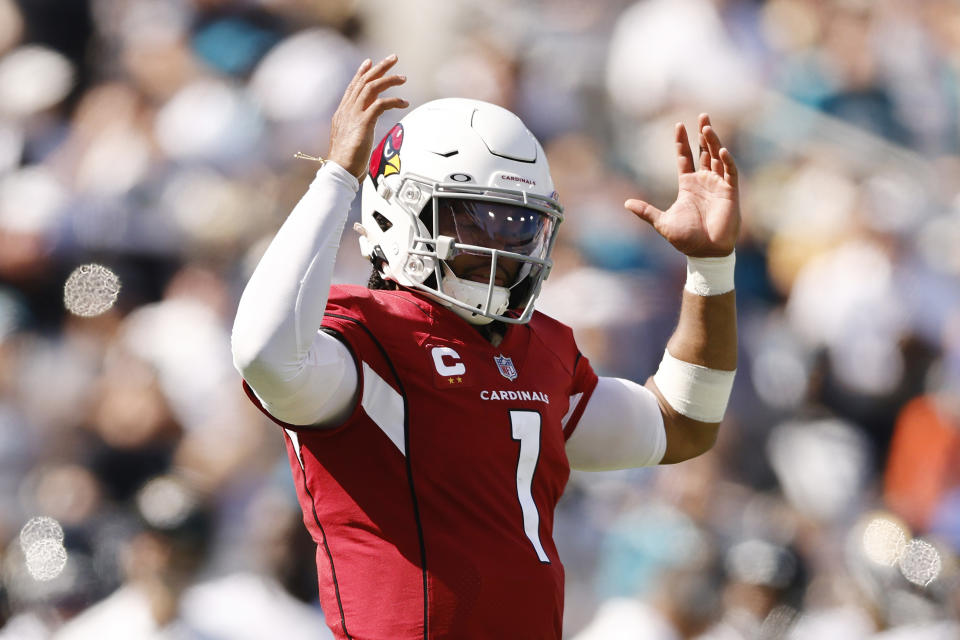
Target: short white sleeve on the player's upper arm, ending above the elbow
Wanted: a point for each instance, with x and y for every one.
(621, 428)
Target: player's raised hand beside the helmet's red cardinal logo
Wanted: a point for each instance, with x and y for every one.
(351, 132)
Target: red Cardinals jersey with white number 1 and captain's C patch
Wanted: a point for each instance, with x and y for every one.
(432, 505)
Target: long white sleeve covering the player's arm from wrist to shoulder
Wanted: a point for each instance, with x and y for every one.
(300, 374)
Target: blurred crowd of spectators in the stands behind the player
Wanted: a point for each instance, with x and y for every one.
(146, 158)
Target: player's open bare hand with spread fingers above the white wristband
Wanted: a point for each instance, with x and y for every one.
(705, 219)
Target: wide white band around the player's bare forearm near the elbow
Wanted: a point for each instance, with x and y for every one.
(693, 390)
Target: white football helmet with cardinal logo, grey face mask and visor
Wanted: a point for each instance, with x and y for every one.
(462, 177)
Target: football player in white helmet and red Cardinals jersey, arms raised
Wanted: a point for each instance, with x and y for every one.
(432, 418)
